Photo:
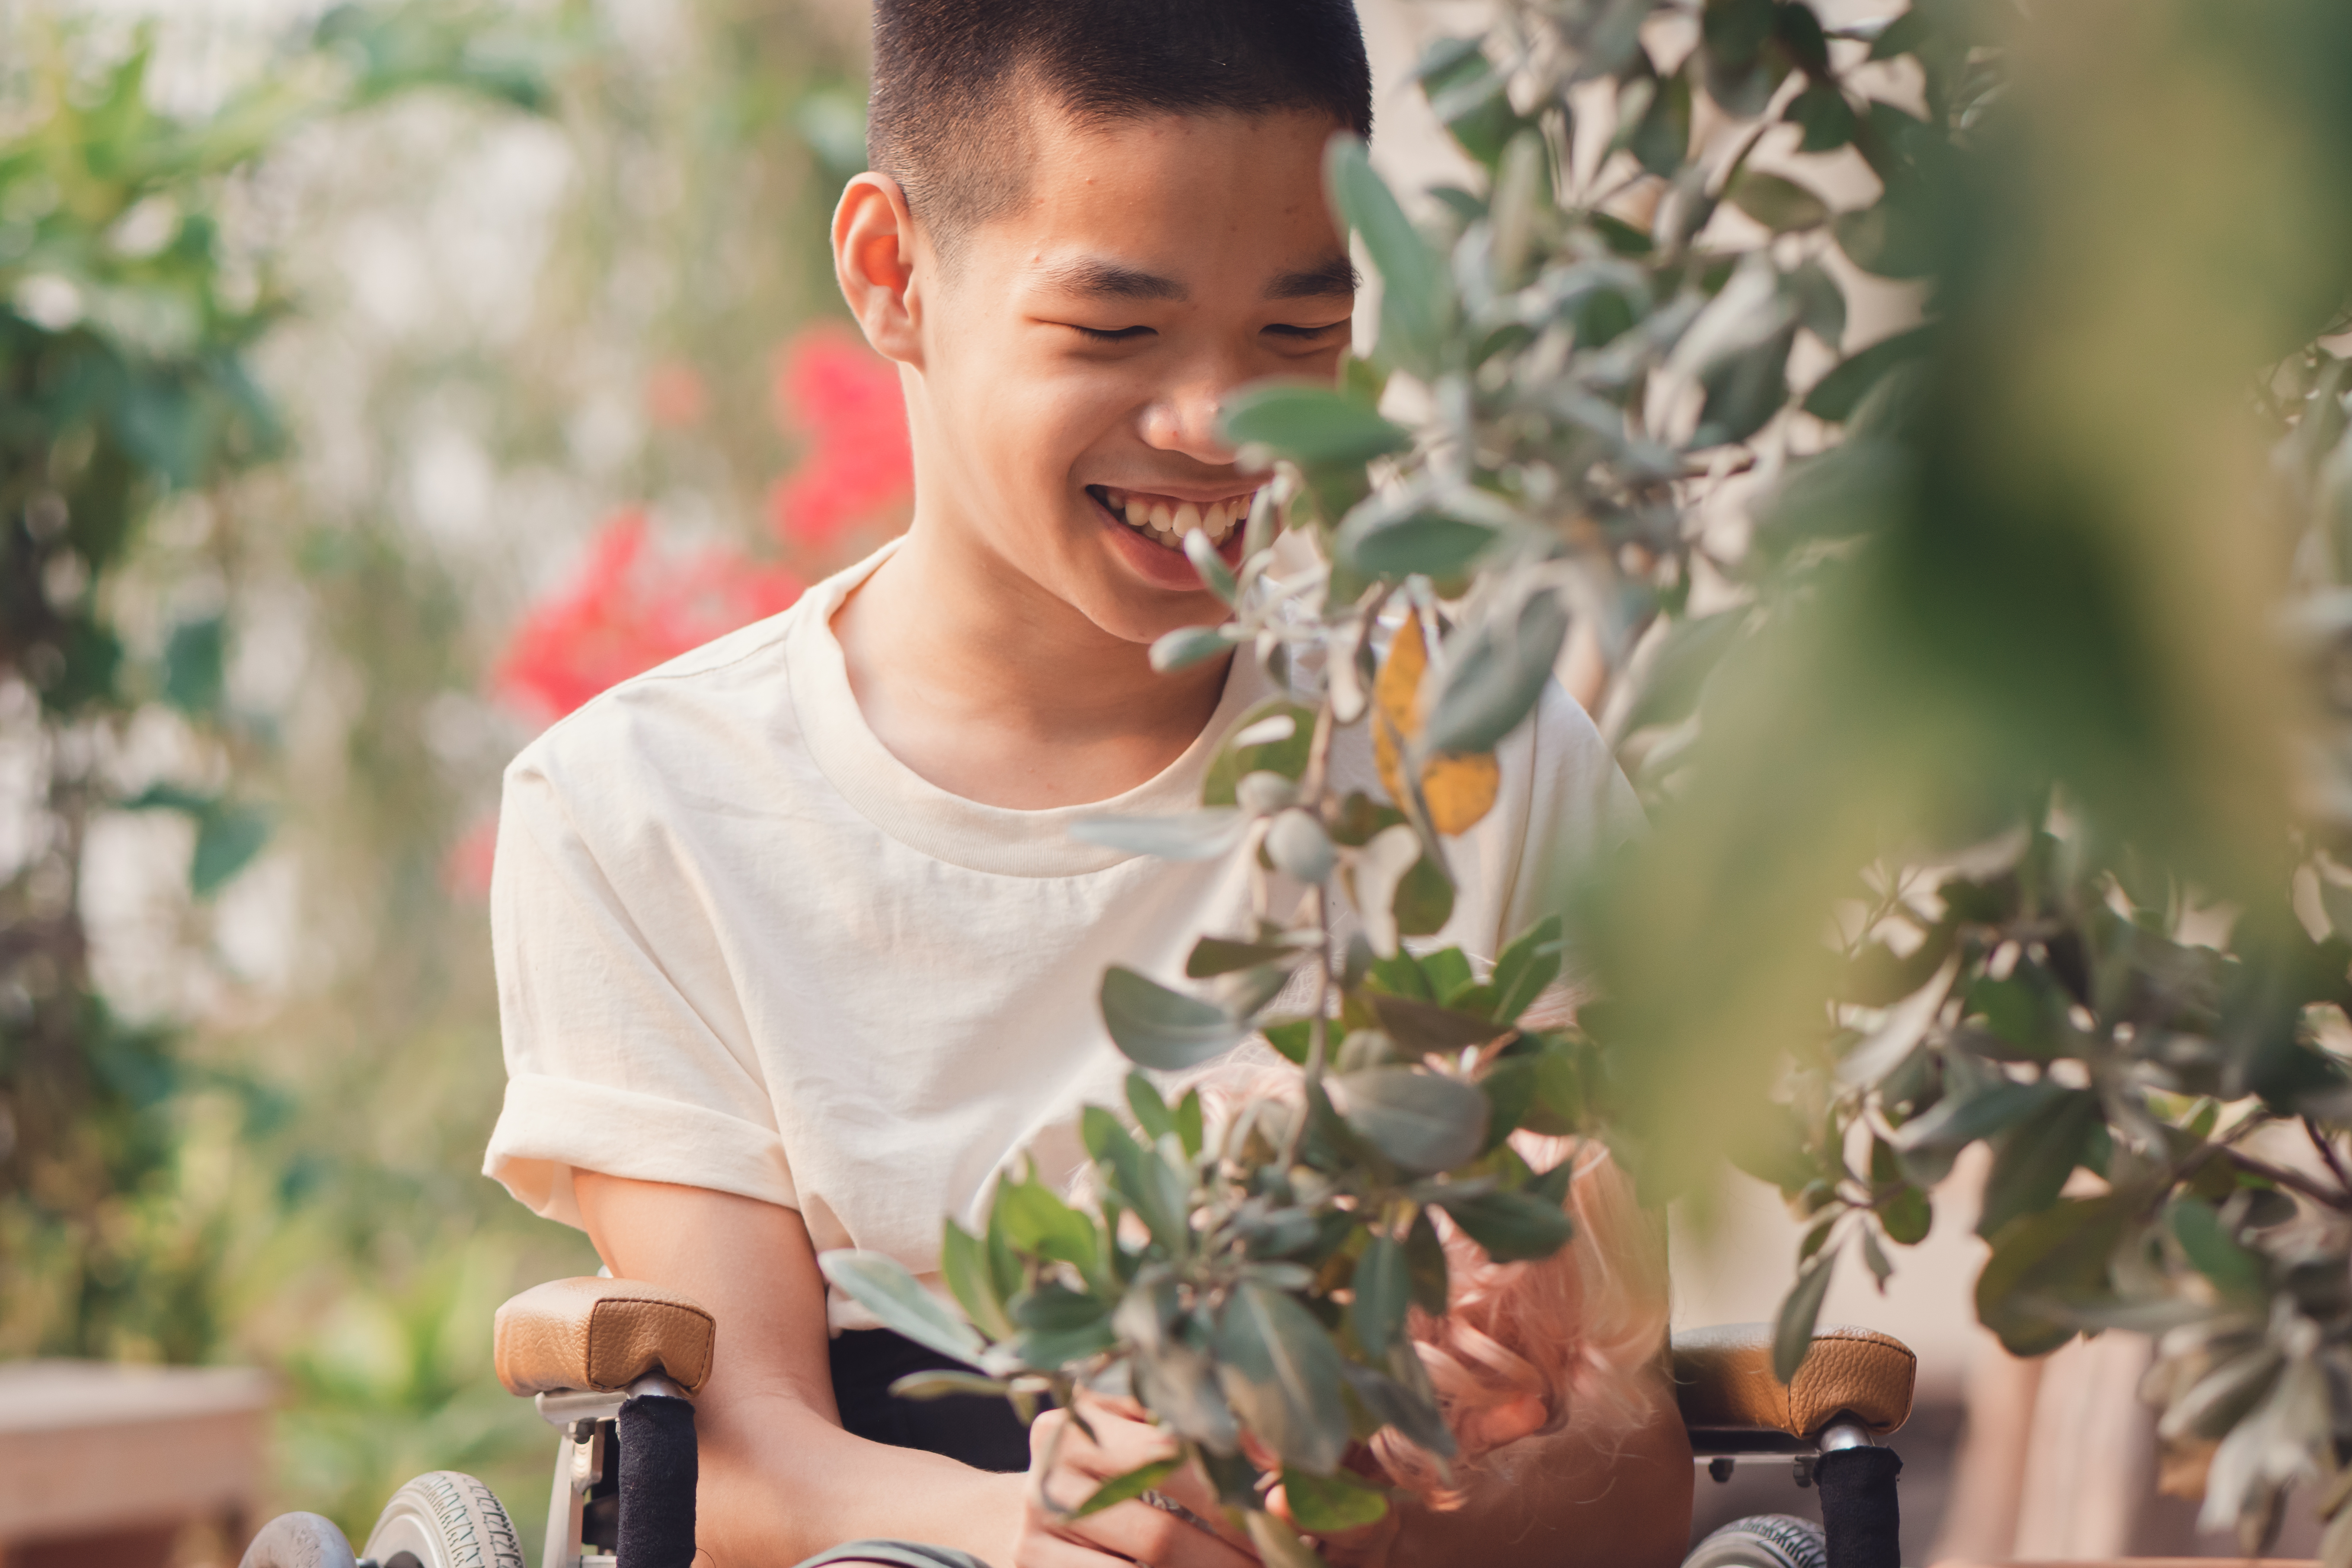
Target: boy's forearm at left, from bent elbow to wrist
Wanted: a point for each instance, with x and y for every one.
(782, 1482)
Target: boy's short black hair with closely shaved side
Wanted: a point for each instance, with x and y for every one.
(947, 76)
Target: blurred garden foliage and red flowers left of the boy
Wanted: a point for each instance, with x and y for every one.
(328, 337)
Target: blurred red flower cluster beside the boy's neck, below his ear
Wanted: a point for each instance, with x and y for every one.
(846, 401)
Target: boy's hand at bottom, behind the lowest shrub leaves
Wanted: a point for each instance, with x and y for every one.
(1067, 1466)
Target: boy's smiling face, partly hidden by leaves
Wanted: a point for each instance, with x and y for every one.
(1076, 354)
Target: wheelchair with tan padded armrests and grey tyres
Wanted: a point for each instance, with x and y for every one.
(615, 1365)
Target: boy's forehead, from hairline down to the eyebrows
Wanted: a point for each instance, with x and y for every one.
(1158, 206)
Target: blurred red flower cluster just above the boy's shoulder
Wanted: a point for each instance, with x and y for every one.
(629, 612)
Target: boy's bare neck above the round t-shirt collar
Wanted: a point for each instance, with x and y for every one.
(1001, 692)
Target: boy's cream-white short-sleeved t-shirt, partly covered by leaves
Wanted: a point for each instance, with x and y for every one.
(744, 949)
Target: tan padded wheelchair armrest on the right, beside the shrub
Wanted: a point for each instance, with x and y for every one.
(1723, 1381)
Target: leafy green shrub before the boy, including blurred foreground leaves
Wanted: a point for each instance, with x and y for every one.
(1942, 643)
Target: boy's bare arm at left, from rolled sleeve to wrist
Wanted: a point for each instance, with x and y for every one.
(780, 1477)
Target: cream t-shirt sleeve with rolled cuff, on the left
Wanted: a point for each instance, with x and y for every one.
(624, 1040)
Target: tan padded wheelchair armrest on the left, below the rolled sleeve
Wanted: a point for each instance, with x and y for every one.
(601, 1336)
